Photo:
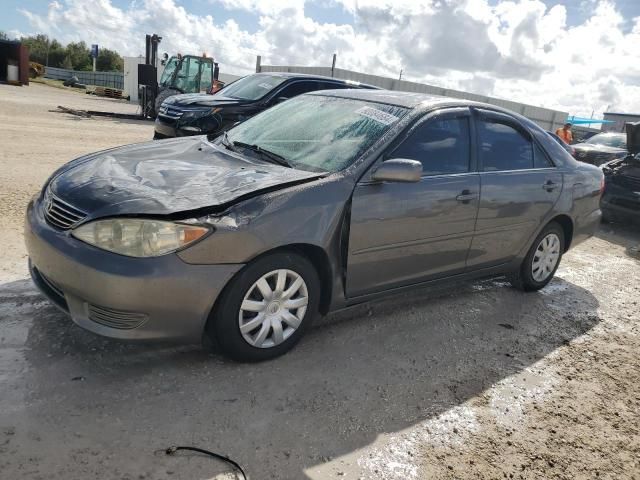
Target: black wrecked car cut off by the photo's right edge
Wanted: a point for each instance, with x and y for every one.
(621, 199)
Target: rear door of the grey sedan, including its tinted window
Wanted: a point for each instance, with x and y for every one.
(519, 186)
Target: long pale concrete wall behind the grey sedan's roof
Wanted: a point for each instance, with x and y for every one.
(546, 118)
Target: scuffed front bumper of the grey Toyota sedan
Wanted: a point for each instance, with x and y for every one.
(161, 298)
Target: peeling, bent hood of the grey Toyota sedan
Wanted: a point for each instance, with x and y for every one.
(167, 177)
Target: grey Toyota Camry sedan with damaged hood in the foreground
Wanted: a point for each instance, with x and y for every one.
(324, 201)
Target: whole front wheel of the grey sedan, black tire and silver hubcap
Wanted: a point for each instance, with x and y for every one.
(246, 301)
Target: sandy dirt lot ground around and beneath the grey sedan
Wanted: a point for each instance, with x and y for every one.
(478, 381)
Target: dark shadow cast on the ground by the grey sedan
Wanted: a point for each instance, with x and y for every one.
(89, 407)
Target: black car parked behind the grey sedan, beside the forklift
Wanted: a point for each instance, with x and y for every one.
(198, 114)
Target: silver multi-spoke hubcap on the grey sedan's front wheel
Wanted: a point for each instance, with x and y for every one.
(273, 308)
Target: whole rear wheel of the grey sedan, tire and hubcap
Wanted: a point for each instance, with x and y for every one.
(528, 278)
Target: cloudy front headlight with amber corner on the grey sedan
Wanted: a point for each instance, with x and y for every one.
(138, 237)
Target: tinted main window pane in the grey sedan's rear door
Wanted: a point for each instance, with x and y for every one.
(502, 147)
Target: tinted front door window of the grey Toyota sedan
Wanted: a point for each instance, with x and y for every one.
(442, 145)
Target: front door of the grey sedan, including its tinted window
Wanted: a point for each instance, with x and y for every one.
(404, 233)
